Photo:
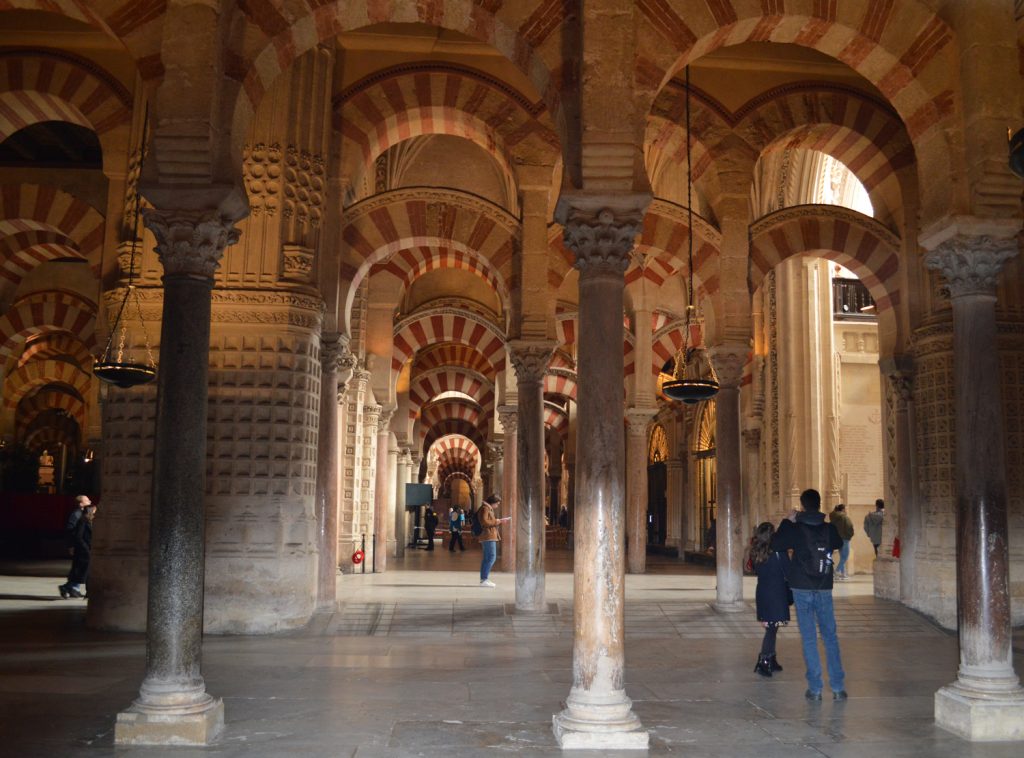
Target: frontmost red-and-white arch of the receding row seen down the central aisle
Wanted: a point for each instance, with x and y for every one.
(433, 327)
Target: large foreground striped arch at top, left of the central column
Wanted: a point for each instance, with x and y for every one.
(275, 38)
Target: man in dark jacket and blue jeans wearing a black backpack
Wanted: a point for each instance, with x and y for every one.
(813, 542)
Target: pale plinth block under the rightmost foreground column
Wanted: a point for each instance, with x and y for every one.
(979, 717)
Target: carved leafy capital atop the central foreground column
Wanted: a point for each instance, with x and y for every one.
(602, 230)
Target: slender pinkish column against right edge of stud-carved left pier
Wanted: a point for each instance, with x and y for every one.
(334, 349)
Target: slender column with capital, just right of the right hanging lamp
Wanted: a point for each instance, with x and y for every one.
(729, 361)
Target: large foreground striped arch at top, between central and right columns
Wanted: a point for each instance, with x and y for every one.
(905, 50)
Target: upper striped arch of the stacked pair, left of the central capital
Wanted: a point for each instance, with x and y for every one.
(435, 98)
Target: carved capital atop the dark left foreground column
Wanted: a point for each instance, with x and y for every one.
(191, 242)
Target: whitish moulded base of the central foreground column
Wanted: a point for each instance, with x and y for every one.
(591, 723)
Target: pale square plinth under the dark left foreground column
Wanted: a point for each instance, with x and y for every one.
(143, 726)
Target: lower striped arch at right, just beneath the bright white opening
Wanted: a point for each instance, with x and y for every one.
(857, 241)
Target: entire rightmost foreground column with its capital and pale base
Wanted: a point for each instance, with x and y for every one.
(987, 702)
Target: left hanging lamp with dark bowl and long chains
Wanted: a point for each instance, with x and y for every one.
(117, 367)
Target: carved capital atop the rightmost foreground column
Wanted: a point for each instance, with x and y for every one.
(972, 265)
